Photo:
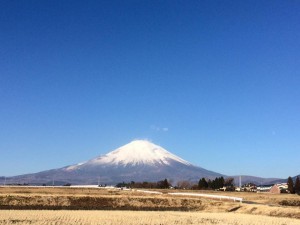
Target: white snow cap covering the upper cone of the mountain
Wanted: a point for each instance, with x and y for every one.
(138, 152)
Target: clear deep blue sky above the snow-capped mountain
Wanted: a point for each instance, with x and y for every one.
(215, 82)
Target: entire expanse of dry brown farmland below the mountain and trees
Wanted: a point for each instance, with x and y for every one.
(137, 207)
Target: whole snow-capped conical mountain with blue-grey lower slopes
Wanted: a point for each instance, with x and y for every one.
(139, 160)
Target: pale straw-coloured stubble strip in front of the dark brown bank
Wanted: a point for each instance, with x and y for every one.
(63, 217)
